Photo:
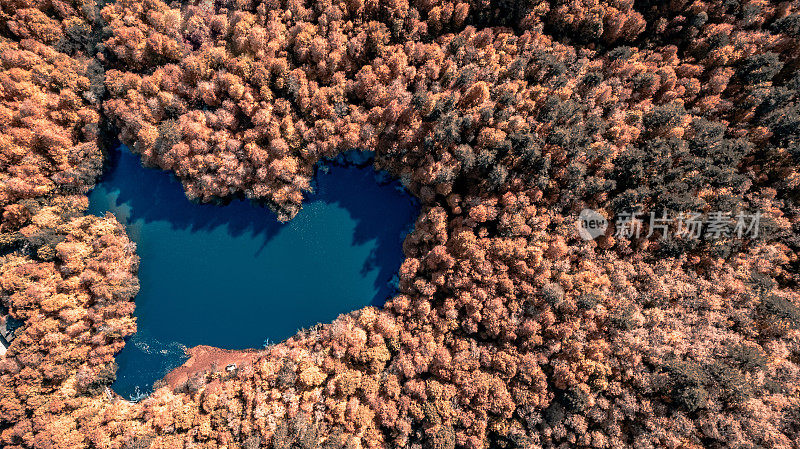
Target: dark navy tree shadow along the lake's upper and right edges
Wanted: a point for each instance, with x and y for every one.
(383, 212)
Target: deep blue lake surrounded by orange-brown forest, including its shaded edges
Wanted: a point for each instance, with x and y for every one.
(234, 277)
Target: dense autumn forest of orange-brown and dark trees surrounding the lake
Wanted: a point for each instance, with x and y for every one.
(506, 118)
